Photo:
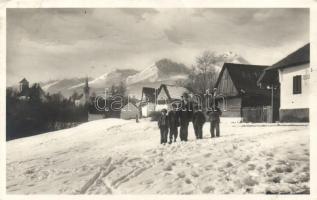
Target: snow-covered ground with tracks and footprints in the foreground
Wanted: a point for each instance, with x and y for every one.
(114, 156)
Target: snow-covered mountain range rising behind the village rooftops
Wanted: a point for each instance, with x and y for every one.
(163, 71)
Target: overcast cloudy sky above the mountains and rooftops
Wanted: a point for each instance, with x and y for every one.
(44, 44)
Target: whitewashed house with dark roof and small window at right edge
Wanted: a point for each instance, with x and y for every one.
(291, 75)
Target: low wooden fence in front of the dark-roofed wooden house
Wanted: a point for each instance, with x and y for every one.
(257, 114)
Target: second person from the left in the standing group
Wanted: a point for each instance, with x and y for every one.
(173, 119)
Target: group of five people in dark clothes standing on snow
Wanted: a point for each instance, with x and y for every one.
(181, 116)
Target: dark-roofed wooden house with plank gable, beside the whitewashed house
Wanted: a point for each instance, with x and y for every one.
(239, 96)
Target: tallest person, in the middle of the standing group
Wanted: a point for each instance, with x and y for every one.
(185, 114)
